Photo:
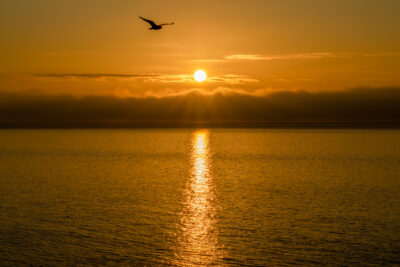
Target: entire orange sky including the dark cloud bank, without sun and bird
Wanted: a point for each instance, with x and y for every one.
(266, 60)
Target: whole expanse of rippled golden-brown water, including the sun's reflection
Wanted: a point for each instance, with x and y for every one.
(200, 197)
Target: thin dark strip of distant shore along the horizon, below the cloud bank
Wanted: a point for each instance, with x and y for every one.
(261, 125)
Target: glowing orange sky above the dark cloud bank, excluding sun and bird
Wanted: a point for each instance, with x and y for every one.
(254, 47)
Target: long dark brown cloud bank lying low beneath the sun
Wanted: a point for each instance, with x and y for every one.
(370, 105)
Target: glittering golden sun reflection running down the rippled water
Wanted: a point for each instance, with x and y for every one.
(198, 244)
